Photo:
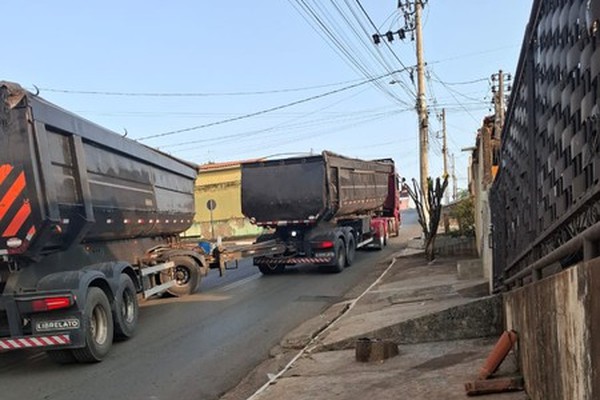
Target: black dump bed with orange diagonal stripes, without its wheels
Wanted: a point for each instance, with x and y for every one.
(65, 180)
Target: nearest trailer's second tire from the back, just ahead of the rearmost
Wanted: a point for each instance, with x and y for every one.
(126, 309)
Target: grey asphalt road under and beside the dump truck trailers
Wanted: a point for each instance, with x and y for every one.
(196, 347)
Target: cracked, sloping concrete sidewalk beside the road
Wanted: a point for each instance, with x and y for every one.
(442, 325)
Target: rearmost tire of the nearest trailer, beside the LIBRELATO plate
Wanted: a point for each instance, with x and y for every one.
(97, 327)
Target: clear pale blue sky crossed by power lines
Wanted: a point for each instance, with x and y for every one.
(210, 62)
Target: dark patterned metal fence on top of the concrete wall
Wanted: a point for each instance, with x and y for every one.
(546, 194)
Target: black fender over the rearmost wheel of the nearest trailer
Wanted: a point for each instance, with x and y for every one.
(75, 281)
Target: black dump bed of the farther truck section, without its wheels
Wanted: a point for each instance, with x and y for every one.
(312, 188)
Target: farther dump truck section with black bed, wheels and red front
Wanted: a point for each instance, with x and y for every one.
(320, 208)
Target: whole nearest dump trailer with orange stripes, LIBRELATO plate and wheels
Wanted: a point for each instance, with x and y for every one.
(88, 220)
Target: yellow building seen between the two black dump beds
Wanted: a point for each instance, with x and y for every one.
(218, 187)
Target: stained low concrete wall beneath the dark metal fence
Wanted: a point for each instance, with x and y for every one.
(558, 323)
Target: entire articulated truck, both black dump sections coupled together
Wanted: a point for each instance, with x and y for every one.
(90, 222)
